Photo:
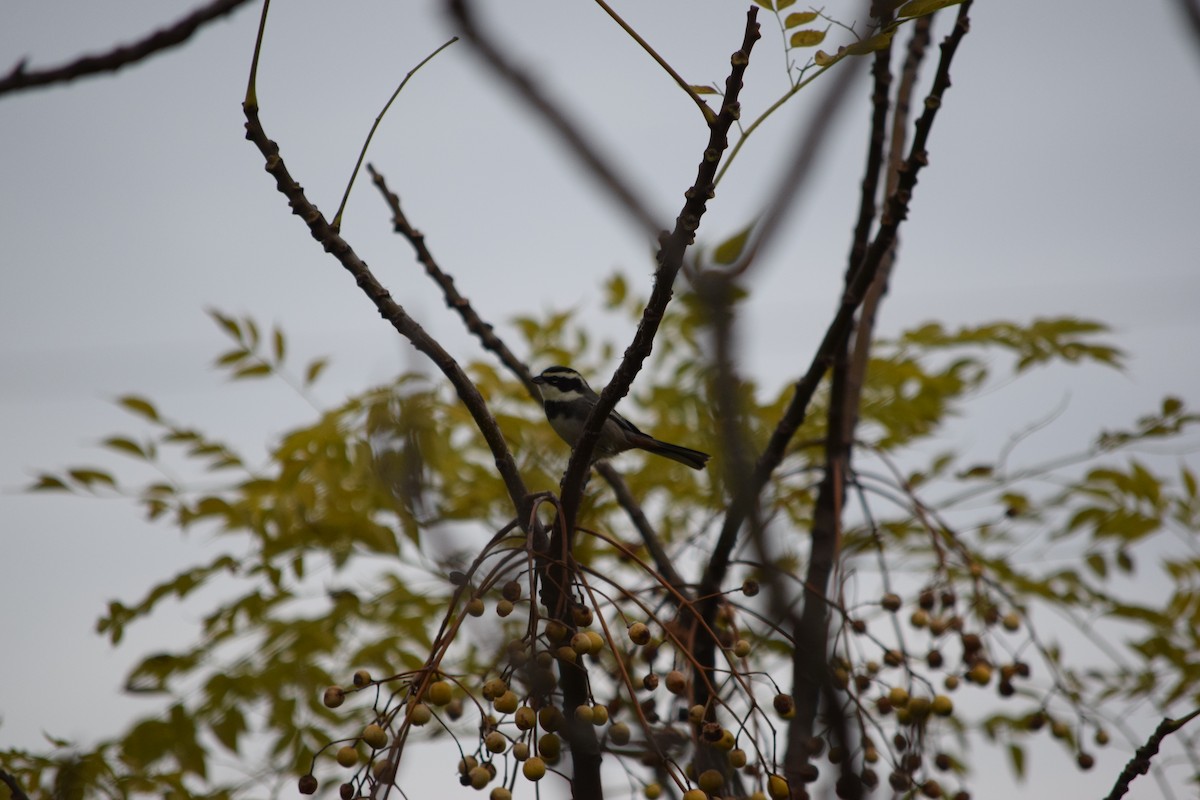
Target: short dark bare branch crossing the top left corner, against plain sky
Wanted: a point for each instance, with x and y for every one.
(122, 56)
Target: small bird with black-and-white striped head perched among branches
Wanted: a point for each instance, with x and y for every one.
(568, 401)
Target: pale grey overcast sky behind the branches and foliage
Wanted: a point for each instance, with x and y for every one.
(1064, 181)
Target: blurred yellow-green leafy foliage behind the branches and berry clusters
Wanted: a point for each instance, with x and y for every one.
(370, 482)
